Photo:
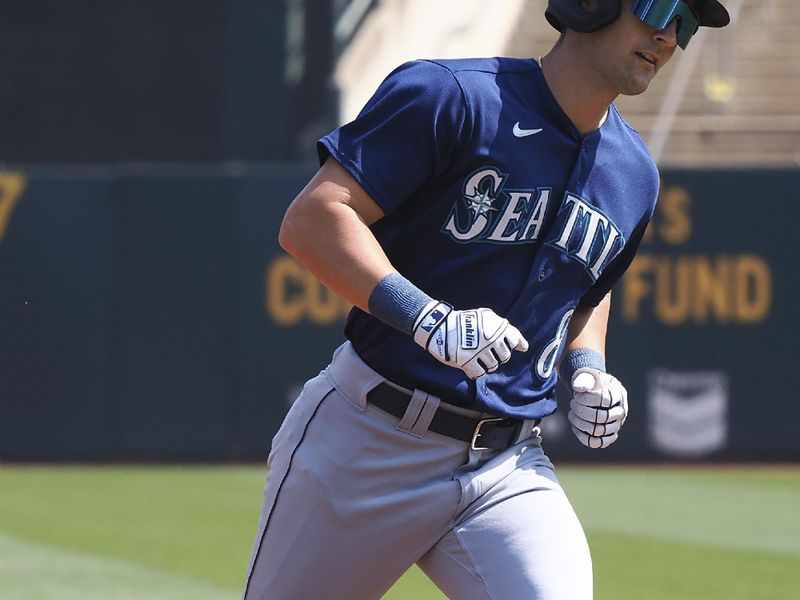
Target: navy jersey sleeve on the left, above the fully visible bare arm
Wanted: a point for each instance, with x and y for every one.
(406, 134)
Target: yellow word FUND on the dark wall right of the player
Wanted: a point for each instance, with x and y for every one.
(698, 289)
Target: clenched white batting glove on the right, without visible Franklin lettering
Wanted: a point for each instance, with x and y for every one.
(598, 408)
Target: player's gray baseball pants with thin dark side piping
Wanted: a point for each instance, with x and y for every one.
(355, 496)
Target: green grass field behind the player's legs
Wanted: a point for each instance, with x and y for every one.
(125, 533)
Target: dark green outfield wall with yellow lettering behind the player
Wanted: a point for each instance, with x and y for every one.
(149, 314)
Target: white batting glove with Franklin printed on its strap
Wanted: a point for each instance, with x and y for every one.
(476, 341)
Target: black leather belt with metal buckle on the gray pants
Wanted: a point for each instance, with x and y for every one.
(492, 433)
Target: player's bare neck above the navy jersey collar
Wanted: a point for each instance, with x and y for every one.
(577, 92)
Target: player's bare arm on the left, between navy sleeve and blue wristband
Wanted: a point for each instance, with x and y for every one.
(326, 228)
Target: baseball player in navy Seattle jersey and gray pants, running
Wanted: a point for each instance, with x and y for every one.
(477, 214)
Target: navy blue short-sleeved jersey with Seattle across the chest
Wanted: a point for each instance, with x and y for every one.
(492, 198)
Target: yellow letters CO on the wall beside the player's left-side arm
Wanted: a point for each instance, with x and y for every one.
(293, 294)
